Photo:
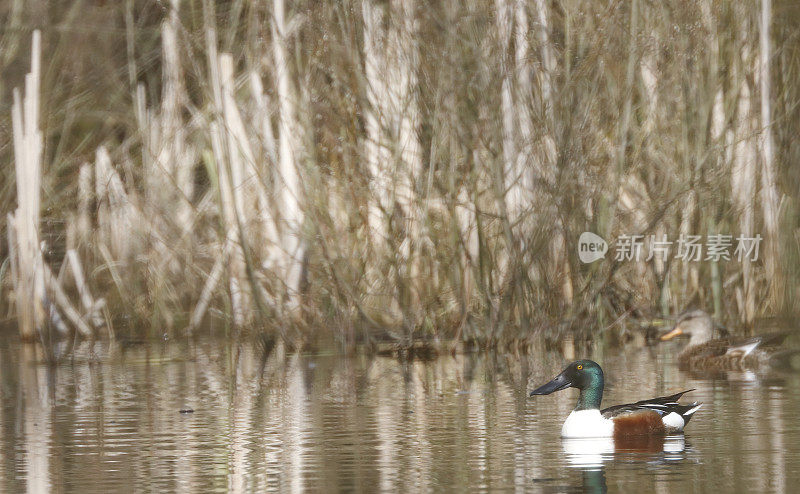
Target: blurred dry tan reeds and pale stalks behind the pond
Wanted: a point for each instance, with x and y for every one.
(367, 171)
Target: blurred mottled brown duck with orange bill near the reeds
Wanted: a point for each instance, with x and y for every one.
(704, 352)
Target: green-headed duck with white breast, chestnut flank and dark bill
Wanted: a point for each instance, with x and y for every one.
(656, 416)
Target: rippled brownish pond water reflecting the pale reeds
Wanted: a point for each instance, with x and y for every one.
(110, 420)
